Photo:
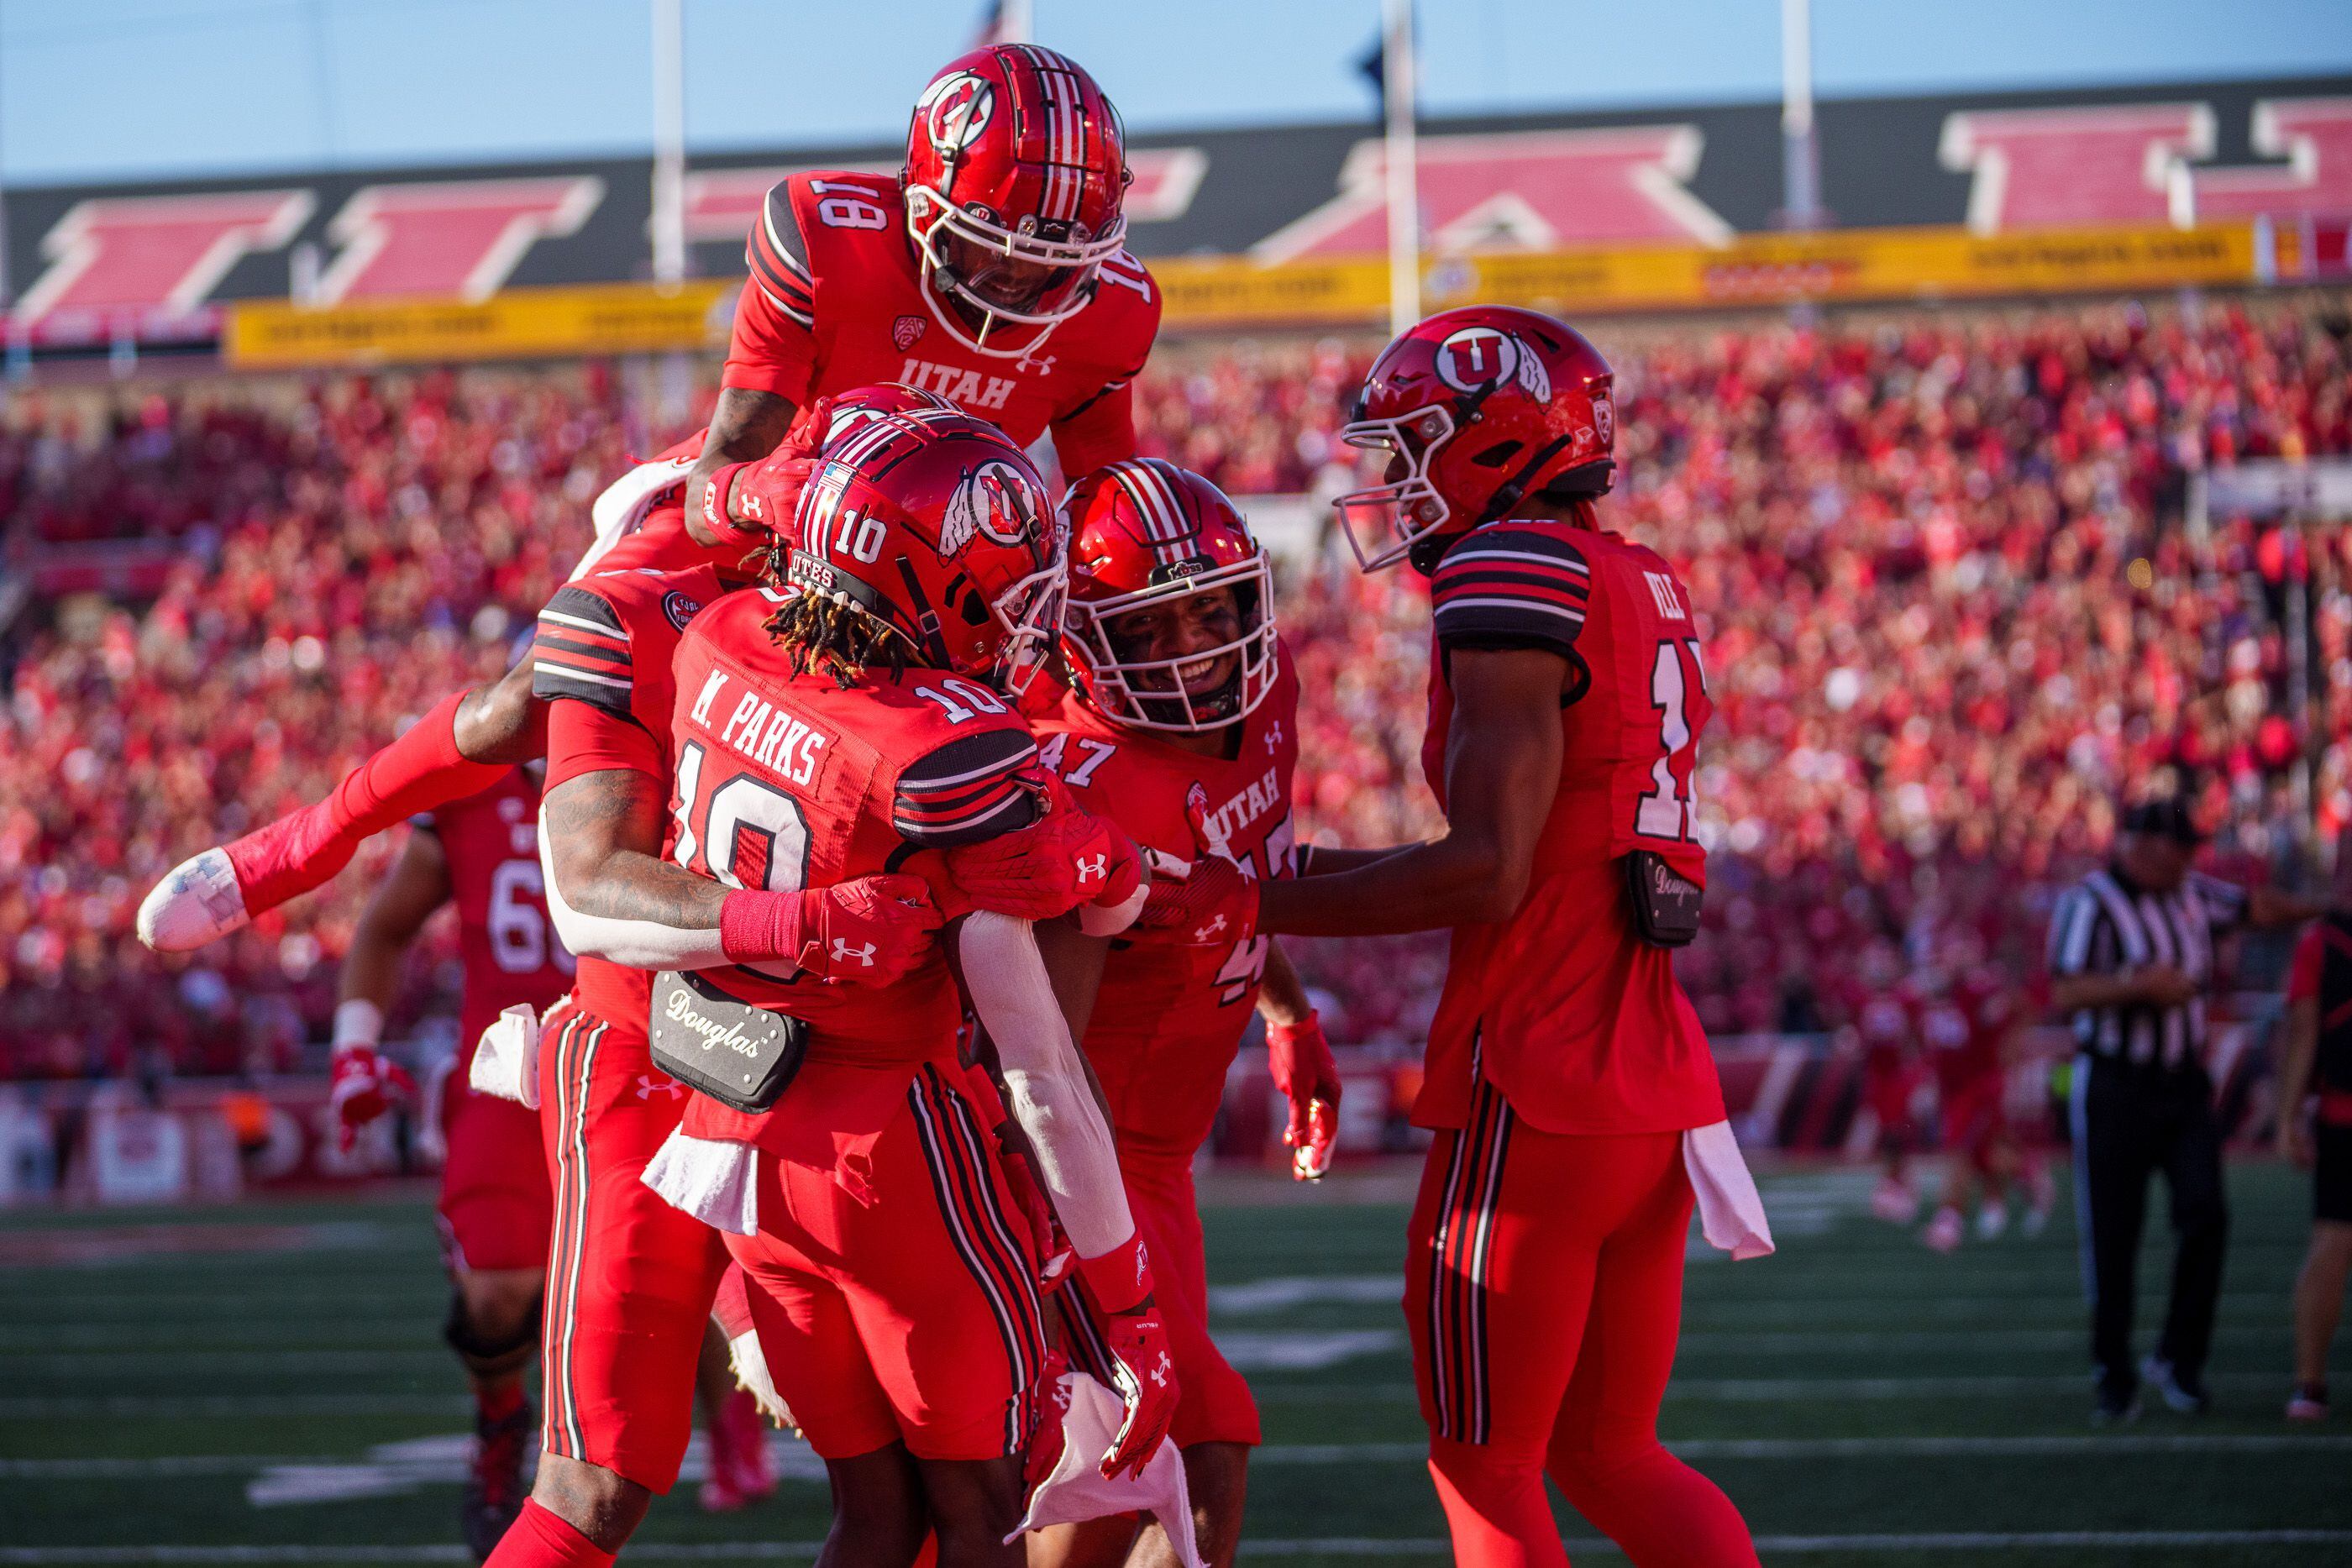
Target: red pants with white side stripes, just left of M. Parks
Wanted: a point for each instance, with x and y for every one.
(629, 1278)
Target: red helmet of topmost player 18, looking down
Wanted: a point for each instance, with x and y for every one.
(1015, 177)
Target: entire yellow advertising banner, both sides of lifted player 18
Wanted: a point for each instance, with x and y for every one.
(1236, 293)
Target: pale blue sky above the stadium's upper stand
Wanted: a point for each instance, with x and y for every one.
(154, 88)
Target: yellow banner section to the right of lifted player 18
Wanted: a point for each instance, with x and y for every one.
(1210, 293)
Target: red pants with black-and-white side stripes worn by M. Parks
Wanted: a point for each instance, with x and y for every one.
(893, 1278)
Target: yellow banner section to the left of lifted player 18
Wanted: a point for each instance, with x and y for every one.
(514, 326)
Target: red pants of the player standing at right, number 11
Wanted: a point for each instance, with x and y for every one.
(1544, 1299)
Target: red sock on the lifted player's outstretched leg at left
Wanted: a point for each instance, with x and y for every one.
(307, 847)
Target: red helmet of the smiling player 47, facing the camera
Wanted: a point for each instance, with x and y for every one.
(1147, 532)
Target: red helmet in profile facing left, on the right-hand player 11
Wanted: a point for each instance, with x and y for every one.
(1483, 408)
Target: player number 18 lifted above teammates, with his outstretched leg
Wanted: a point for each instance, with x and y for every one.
(1001, 232)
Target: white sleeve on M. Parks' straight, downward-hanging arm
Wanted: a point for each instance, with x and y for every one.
(1045, 1080)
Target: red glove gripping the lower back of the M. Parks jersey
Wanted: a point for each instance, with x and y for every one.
(862, 932)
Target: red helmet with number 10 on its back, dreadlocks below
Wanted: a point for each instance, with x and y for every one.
(935, 525)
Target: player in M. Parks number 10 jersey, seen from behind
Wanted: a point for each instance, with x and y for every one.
(857, 718)
